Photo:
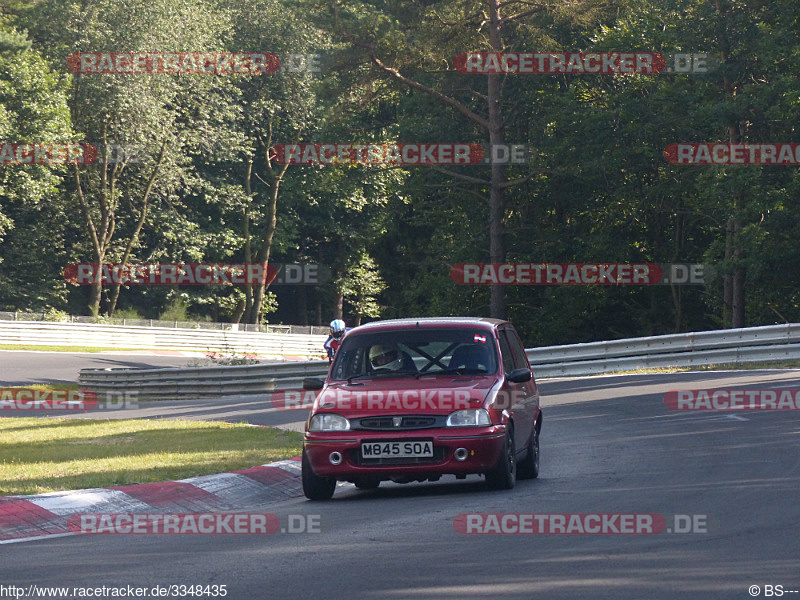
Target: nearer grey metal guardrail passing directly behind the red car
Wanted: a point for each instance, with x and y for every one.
(735, 346)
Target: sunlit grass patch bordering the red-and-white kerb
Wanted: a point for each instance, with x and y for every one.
(53, 454)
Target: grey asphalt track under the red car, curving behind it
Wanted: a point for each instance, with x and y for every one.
(609, 445)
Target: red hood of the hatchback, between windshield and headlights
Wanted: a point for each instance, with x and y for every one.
(407, 395)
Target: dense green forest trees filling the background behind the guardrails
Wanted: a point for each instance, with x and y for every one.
(597, 187)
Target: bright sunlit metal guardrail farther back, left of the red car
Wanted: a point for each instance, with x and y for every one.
(155, 338)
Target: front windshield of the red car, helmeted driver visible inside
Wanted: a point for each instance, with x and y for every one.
(416, 352)
